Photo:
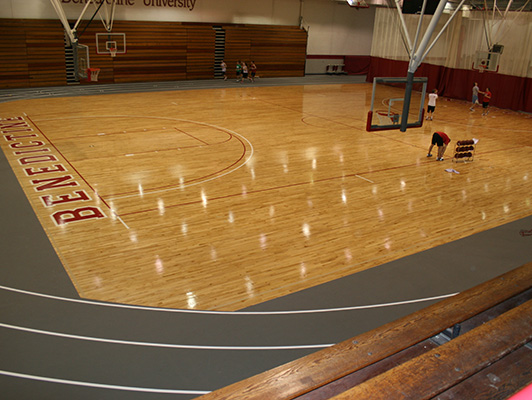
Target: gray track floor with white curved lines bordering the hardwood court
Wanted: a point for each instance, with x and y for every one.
(55, 345)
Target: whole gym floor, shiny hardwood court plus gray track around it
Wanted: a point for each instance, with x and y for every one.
(190, 209)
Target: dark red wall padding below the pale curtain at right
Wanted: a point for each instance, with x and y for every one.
(510, 92)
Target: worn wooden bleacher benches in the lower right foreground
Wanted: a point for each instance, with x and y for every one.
(471, 346)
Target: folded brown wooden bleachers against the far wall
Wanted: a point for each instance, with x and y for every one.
(33, 51)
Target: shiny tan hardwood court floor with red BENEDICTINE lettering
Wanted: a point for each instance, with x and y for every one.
(220, 199)
